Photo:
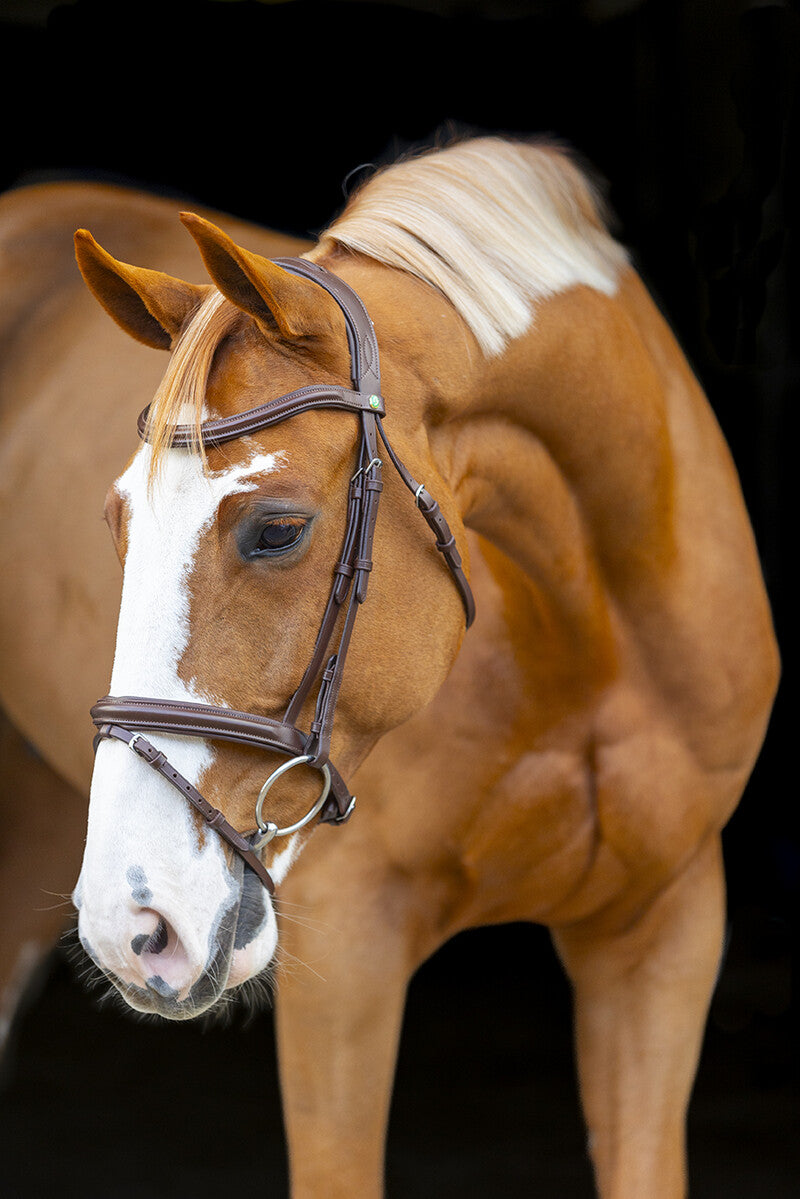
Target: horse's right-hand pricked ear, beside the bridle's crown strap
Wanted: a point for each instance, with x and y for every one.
(275, 299)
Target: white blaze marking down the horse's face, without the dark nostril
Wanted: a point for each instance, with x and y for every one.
(136, 818)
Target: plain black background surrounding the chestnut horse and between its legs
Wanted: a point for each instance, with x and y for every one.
(690, 111)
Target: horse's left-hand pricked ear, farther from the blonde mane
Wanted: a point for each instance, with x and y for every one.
(148, 305)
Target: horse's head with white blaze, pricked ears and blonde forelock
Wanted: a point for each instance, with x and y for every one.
(230, 551)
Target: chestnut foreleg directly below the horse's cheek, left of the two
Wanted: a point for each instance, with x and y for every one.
(340, 1010)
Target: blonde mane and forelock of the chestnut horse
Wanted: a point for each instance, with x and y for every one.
(496, 226)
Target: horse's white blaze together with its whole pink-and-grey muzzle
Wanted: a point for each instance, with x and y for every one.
(161, 912)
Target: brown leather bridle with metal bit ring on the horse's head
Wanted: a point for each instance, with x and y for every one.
(125, 719)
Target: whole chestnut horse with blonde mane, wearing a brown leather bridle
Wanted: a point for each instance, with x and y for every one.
(467, 351)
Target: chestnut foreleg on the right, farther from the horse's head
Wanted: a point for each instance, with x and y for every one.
(642, 996)
